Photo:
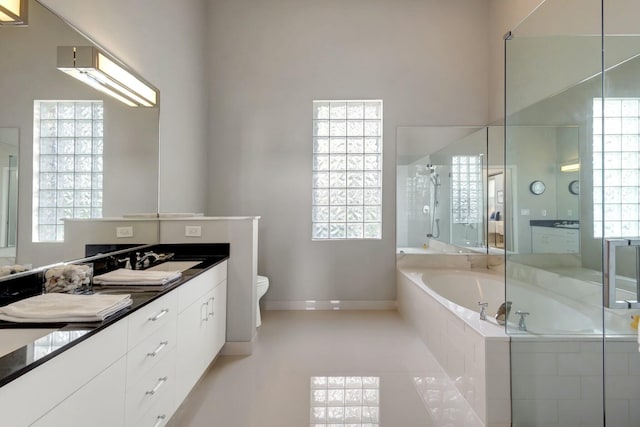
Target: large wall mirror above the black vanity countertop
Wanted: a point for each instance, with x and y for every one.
(129, 139)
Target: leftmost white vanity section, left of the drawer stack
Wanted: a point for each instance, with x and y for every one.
(47, 395)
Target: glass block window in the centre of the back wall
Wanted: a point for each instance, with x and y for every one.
(347, 170)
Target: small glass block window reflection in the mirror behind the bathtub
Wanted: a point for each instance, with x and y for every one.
(466, 189)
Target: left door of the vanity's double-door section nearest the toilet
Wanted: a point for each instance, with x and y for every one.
(193, 329)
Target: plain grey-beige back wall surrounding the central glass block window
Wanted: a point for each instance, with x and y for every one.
(427, 60)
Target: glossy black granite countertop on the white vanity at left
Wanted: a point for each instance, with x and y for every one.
(66, 335)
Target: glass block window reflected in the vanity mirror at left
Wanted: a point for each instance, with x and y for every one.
(67, 165)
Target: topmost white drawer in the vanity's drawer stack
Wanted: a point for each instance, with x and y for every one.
(152, 317)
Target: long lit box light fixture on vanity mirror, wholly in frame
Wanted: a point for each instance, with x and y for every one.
(94, 68)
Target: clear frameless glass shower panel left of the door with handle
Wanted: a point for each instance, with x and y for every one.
(553, 262)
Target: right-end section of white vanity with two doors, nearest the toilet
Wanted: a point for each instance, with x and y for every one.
(201, 326)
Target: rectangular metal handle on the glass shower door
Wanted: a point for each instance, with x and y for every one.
(609, 270)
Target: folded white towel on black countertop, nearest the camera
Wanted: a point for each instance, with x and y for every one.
(57, 307)
